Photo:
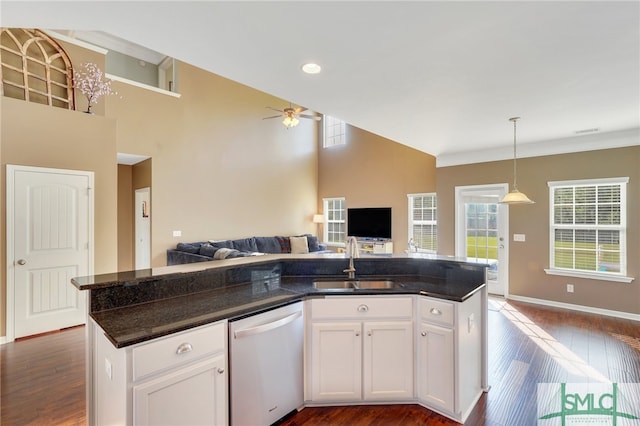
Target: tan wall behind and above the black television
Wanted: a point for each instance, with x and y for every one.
(372, 171)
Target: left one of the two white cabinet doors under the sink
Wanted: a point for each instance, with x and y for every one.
(336, 361)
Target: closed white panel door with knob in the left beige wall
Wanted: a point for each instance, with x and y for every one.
(49, 241)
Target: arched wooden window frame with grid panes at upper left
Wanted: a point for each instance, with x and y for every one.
(35, 68)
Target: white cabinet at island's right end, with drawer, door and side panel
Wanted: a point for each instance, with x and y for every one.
(449, 355)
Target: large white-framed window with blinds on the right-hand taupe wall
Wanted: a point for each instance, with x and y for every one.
(588, 227)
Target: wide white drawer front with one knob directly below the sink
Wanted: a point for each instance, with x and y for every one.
(362, 307)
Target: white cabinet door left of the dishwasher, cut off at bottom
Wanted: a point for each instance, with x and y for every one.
(194, 395)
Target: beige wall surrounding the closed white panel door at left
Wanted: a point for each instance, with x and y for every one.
(37, 135)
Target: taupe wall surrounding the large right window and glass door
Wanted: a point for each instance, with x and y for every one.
(528, 259)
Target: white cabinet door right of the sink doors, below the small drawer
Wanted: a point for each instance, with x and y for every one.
(436, 366)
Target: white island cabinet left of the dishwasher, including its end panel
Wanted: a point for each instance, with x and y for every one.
(175, 380)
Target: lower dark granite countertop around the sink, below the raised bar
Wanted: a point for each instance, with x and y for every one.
(137, 323)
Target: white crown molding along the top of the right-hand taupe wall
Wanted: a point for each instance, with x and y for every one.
(590, 142)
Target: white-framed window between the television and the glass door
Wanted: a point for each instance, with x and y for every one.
(423, 222)
